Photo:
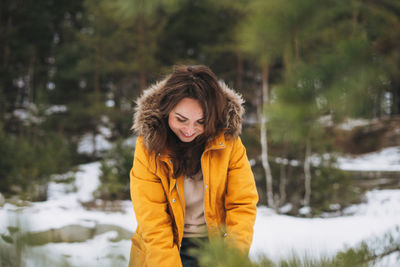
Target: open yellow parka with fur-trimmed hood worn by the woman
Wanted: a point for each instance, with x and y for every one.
(230, 194)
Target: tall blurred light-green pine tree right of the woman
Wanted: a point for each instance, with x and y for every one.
(328, 68)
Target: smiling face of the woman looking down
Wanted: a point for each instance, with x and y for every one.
(186, 119)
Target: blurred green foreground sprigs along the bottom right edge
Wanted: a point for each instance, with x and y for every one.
(367, 253)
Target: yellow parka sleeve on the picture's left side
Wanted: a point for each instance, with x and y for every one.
(150, 205)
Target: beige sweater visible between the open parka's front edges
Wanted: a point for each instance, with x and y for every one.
(195, 223)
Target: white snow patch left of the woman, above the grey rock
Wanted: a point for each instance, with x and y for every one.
(65, 208)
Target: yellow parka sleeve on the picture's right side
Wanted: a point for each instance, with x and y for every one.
(241, 198)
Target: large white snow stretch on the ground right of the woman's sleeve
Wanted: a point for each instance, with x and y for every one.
(277, 236)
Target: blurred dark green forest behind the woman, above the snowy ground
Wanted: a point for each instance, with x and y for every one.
(71, 71)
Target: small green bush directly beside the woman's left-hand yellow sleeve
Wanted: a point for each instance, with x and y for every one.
(114, 177)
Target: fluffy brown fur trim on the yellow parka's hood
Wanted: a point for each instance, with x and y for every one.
(147, 117)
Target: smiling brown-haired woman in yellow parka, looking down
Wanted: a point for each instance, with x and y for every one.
(190, 177)
